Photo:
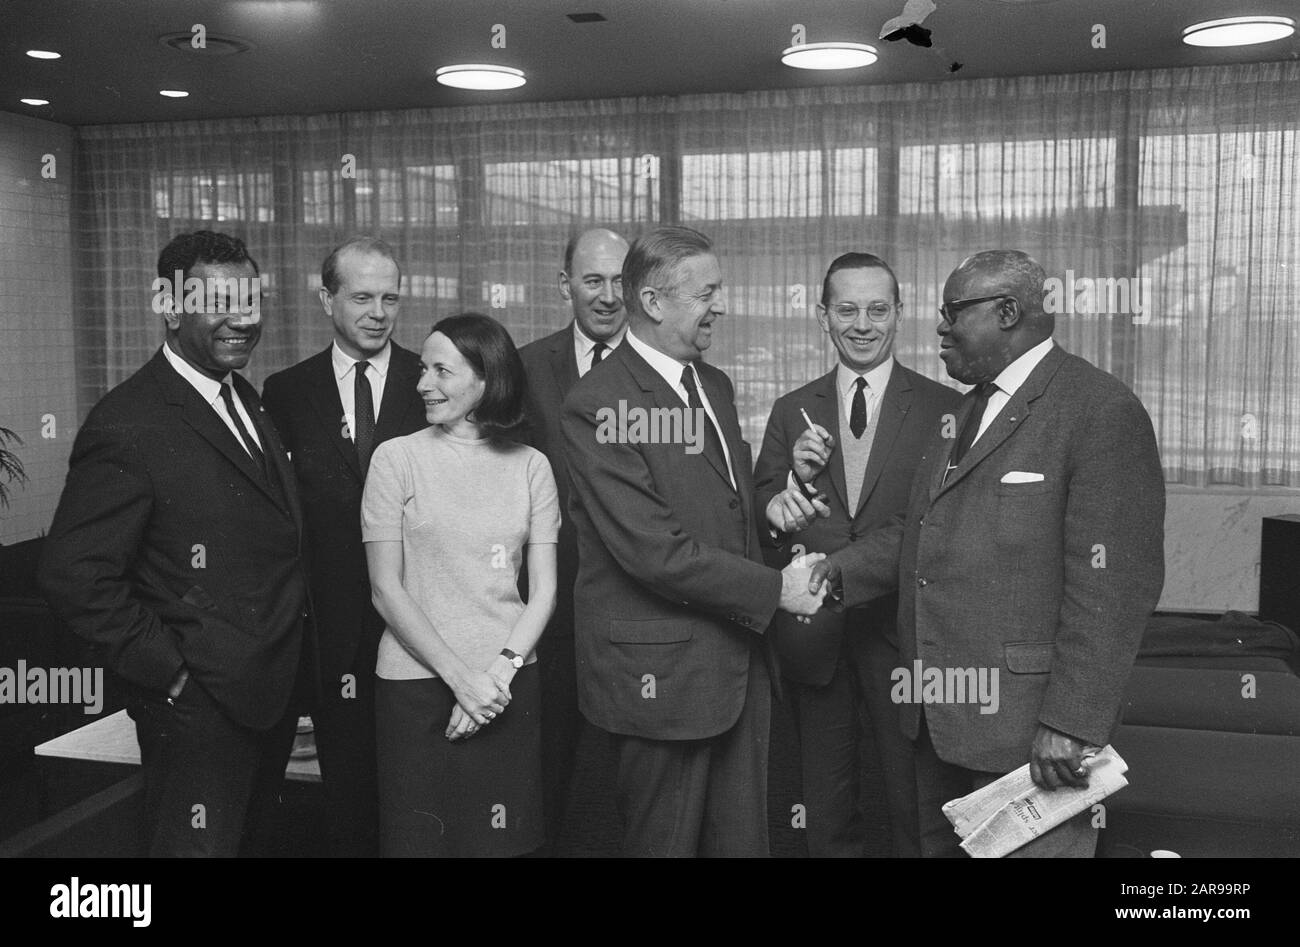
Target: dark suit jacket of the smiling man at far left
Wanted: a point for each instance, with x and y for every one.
(171, 547)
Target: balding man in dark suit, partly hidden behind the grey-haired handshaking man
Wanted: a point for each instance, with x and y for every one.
(592, 284)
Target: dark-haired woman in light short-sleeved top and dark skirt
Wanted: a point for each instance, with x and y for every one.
(447, 517)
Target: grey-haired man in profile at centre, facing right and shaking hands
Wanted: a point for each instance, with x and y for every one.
(671, 596)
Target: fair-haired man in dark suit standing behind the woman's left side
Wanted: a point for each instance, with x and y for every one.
(333, 410)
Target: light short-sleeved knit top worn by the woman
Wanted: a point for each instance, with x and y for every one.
(463, 512)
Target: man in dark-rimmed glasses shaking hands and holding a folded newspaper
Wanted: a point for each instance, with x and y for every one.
(1029, 560)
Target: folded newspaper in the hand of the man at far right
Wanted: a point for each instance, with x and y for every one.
(1011, 812)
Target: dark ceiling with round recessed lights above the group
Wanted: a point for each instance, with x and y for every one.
(313, 57)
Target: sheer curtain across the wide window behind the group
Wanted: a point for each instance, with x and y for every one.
(1163, 204)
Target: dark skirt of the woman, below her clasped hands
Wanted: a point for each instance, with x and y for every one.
(480, 797)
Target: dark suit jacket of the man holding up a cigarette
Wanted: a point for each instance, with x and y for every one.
(912, 413)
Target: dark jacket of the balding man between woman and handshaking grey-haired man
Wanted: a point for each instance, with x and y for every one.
(552, 374)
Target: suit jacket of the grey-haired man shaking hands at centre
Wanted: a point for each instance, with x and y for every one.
(671, 593)
